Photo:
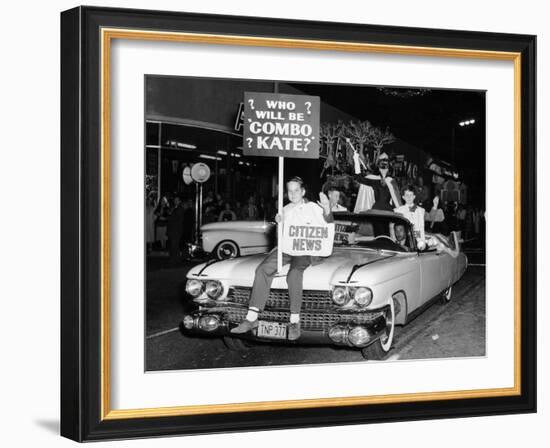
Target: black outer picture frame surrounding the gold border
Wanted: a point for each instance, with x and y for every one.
(82, 409)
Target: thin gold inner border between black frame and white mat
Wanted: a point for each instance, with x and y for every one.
(107, 35)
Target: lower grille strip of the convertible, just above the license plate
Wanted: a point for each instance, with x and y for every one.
(314, 321)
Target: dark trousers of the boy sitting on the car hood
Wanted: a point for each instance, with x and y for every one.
(264, 277)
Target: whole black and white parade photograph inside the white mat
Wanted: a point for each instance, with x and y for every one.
(292, 223)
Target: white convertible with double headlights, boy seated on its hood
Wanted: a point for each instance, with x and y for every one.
(353, 298)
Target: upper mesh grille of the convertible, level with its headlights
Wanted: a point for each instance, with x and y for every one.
(278, 299)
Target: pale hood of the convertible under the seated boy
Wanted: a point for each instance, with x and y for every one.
(340, 267)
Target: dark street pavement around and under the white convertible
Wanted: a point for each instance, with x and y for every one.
(455, 329)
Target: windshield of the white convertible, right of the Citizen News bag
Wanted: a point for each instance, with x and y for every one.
(374, 232)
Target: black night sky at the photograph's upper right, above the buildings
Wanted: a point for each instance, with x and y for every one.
(424, 118)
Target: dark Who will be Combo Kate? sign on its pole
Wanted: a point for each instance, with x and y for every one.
(281, 125)
